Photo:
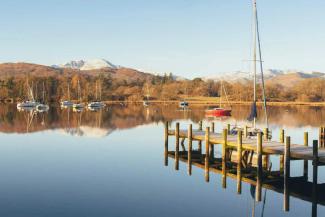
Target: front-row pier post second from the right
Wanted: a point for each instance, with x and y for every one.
(286, 194)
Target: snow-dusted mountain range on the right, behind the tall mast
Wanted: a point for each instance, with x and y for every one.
(240, 76)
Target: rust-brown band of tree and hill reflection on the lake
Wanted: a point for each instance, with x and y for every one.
(104, 121)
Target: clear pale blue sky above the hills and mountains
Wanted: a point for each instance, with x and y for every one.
(187, 37)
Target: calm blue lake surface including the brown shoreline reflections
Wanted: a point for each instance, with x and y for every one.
(111, 163)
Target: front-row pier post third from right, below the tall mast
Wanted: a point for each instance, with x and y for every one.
(258, 194)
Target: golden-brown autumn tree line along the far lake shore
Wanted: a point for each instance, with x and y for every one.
(156, 88)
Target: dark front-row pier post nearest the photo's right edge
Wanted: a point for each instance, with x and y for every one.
(315, 177)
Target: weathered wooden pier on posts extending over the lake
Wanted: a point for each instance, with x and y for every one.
(246, 159)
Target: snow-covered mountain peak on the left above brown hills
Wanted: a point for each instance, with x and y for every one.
(87, 64)
